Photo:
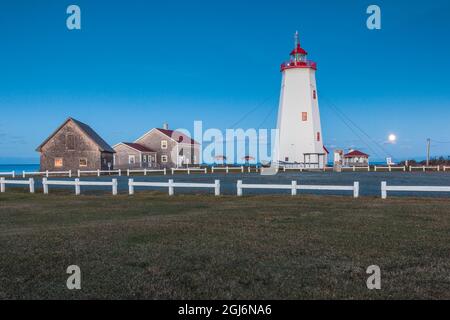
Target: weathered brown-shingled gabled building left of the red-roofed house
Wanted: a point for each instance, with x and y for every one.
(75, 146)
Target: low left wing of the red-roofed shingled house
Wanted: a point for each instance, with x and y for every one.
(134, 155)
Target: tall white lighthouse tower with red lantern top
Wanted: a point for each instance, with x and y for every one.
(299, 130)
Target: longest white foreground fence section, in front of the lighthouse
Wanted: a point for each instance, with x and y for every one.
(294, 187)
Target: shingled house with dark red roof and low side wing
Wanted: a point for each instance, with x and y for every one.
(167, 148)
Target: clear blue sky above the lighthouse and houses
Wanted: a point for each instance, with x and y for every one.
(136, 64)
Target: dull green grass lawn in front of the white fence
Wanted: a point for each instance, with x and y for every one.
(150, 246)
